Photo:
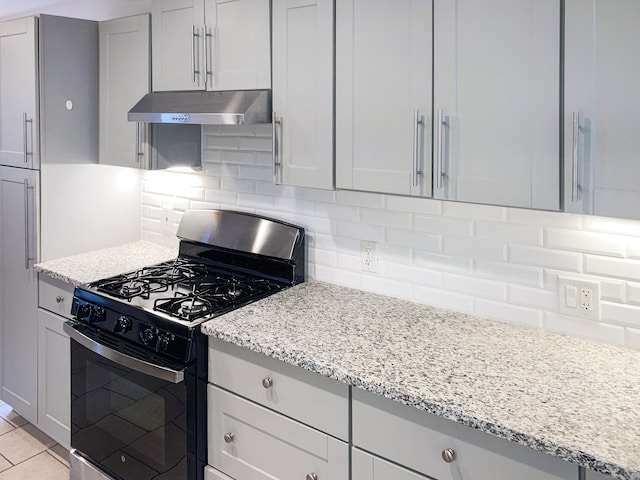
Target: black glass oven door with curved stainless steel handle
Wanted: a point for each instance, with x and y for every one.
(131, 419)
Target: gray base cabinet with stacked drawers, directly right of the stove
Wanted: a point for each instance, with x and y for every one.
(283, 426)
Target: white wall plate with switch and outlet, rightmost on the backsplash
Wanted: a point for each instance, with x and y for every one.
(579, 298)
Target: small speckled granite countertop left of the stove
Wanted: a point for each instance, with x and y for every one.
(90, 266)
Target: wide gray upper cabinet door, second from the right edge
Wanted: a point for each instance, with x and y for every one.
(496, 102)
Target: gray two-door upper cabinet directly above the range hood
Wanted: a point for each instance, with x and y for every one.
(211, 44)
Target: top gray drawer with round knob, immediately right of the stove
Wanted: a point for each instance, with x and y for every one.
(315, 400)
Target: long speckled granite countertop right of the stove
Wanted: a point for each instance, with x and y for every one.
(571, 398)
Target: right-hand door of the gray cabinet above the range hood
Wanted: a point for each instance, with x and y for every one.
(238, 44)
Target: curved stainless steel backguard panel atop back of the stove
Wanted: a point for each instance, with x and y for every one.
(239, 231)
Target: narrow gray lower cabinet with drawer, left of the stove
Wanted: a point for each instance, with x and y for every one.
(54, 363)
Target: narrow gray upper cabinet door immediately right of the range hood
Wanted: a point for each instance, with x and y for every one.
(303, 92)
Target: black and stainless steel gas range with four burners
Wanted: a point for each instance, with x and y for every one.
(139, 360)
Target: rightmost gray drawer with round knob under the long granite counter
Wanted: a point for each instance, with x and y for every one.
(417, 440)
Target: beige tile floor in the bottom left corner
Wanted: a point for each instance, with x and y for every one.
(26, 452)
